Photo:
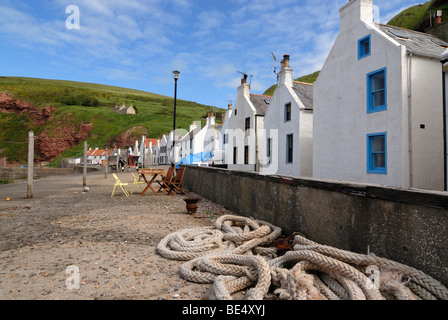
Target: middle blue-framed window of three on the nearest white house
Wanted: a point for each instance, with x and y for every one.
(377, 91)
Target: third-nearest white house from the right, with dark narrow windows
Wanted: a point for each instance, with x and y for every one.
(245, 130)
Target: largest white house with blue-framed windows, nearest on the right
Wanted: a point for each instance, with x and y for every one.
(377, 105)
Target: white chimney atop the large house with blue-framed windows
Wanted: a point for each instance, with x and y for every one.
(355, 11)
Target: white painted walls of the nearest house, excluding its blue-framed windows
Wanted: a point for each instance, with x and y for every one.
(341, 121)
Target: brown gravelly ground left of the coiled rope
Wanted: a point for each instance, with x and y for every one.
(111, 242)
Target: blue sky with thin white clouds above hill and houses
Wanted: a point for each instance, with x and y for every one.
(138, 43)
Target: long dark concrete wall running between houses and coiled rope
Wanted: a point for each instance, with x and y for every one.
(407, 226)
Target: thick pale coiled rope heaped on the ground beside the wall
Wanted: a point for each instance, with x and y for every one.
(234, 255)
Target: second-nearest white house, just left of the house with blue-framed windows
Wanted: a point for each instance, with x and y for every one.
(288, 125)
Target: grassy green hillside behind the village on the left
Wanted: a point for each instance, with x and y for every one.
(89, 104)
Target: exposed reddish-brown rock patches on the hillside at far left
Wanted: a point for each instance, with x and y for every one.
(47, 147)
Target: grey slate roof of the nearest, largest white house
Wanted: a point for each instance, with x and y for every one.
(417, 43)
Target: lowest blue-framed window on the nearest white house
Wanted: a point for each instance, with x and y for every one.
(377, 153)
